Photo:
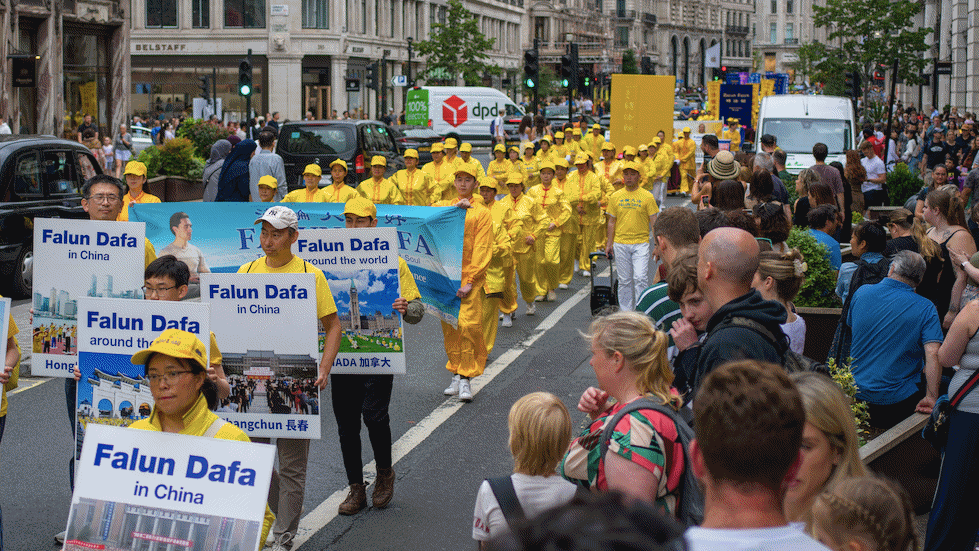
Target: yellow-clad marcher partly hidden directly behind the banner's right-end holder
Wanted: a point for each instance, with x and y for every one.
(495, 287)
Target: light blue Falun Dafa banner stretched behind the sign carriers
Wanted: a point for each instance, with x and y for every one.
(225, 236)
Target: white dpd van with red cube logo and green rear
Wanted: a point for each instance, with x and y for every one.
(463, 112)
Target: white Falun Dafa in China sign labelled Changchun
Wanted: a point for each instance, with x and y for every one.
(266, 324)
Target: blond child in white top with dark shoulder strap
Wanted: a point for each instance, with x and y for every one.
(540, 431)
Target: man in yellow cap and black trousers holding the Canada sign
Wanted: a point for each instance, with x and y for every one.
(370, 395)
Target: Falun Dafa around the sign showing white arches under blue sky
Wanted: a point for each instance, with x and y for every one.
(113, 391)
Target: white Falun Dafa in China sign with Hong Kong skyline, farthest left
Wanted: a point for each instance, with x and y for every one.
(75, 259)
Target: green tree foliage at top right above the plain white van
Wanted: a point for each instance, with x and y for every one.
(873, 32)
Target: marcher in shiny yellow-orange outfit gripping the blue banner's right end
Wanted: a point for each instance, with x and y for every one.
(464, 344)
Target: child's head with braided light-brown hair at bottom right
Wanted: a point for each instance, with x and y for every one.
(865, 514)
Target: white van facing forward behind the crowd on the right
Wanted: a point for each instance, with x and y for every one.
(798, 122)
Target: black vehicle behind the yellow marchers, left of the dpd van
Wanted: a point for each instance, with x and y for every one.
(321, 142)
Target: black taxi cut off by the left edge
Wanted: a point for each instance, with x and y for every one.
(40, 177)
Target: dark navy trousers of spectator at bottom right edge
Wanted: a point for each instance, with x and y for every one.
(952, 524)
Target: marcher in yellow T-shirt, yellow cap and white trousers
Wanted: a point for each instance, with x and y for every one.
(631, 212)
